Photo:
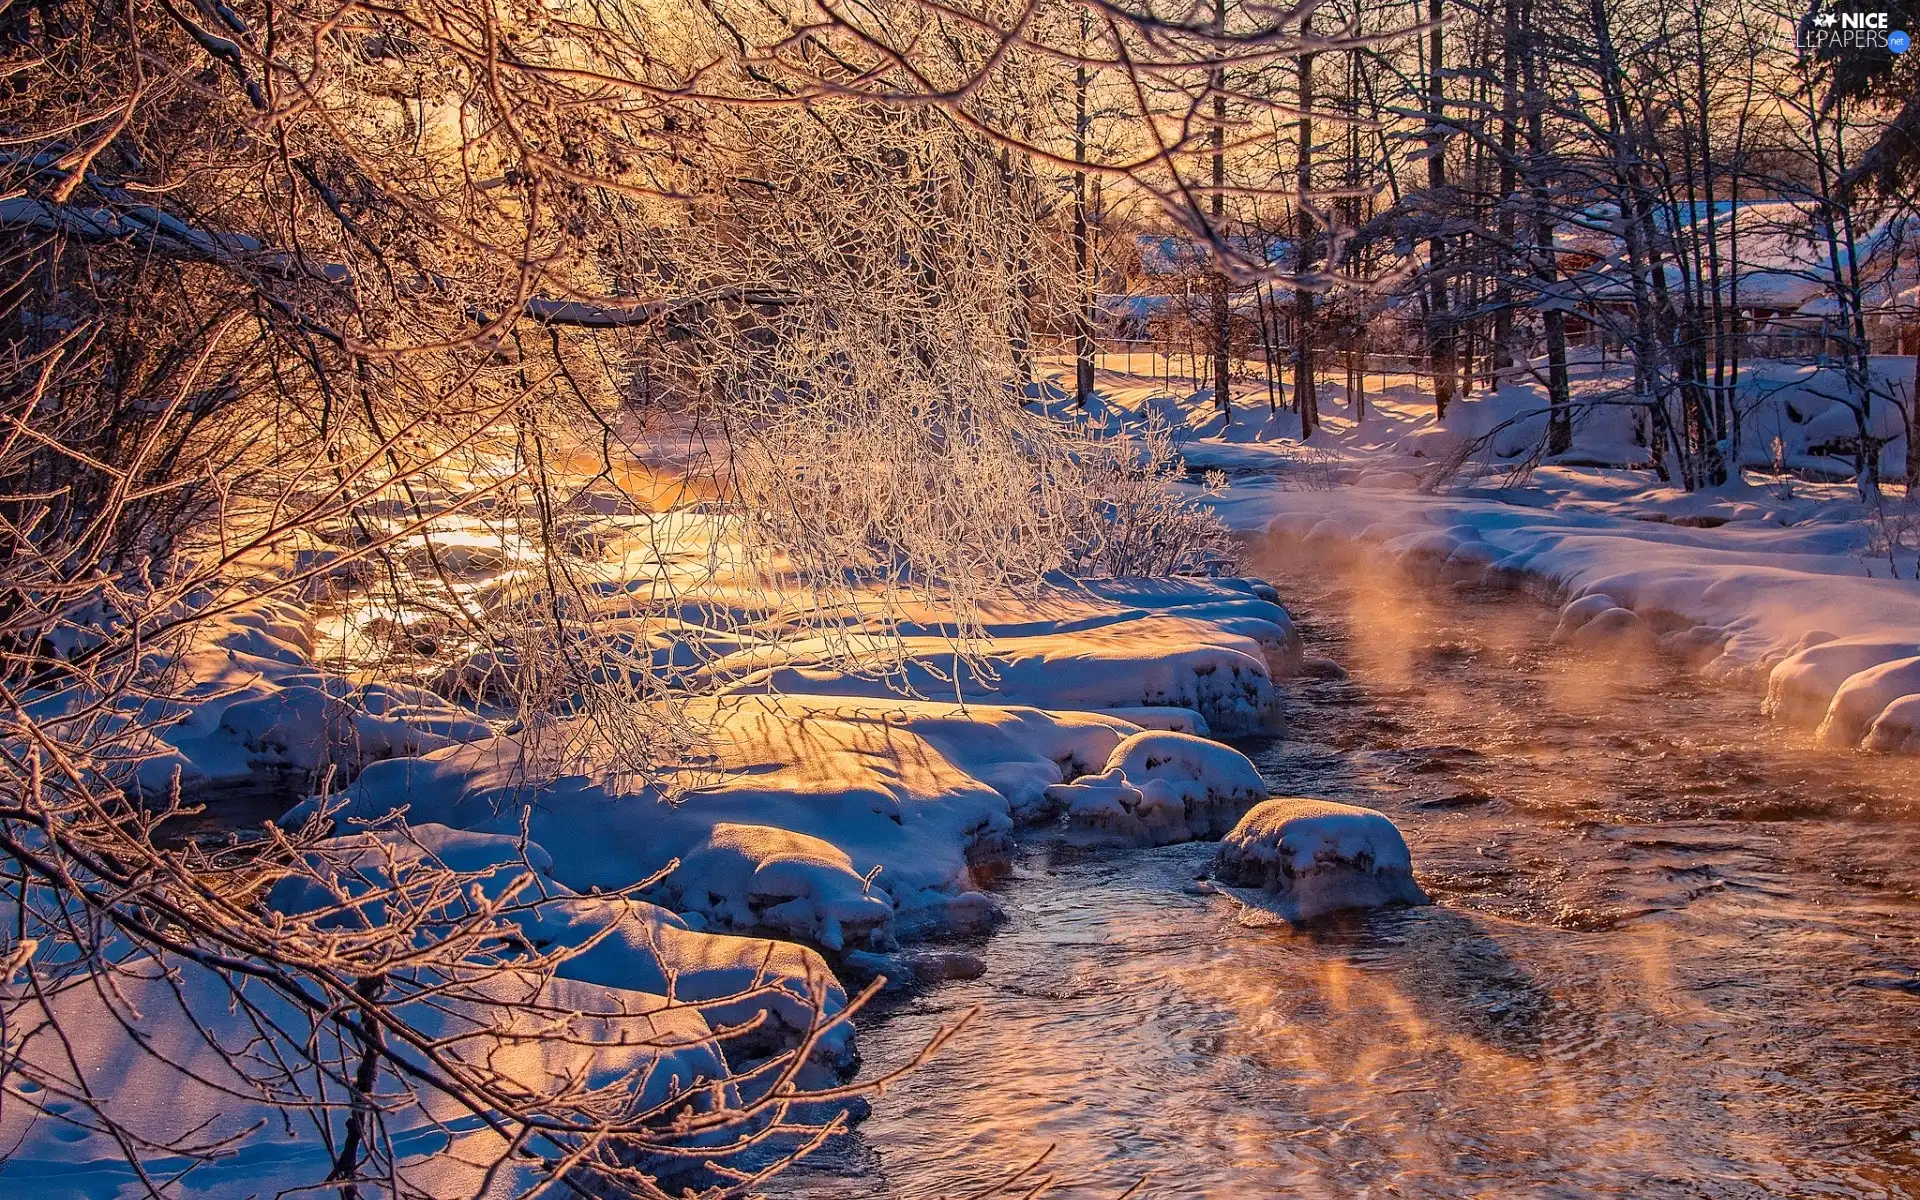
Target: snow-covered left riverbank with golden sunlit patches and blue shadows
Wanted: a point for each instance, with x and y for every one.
(828, 821)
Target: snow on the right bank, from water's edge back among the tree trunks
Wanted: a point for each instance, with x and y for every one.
(1739, 581)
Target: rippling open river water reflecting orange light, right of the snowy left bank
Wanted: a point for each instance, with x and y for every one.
(1673, 953)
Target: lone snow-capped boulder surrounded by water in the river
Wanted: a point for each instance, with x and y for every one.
(1307, 859)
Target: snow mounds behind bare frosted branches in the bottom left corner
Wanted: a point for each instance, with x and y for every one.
(187, 1067)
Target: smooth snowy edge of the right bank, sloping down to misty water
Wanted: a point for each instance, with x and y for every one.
(1733, 583)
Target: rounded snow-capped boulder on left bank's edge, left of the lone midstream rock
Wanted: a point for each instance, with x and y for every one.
(763, 878)
